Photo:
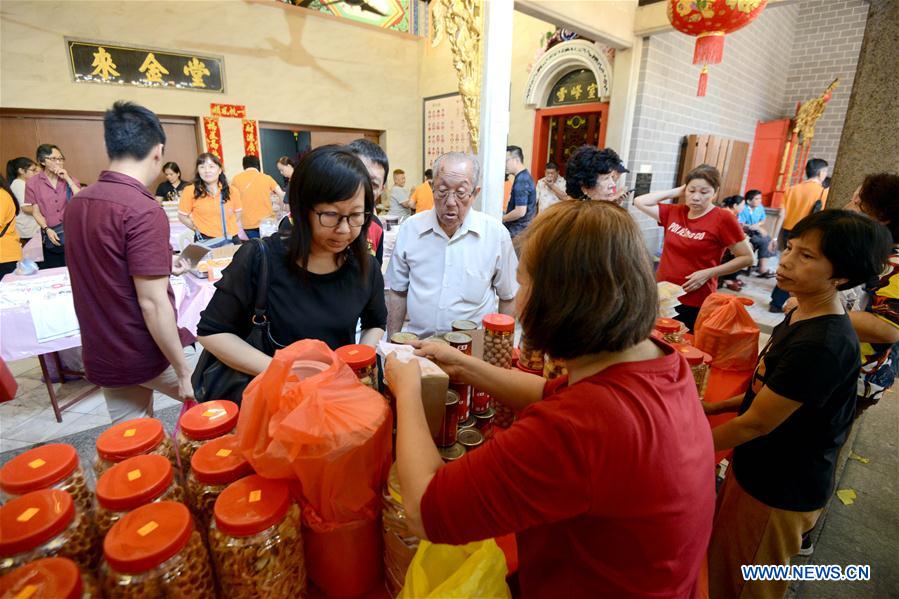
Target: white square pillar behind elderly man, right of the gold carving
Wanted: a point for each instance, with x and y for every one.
(495, 88)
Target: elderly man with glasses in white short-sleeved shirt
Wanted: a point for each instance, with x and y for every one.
(450, 263)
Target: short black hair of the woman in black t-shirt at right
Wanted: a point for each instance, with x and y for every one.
(856, 246)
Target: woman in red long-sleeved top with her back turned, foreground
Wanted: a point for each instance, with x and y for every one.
(606, 477)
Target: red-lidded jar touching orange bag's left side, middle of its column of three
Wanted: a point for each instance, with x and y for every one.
(212, 468)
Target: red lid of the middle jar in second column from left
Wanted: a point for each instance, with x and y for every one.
(134, 482)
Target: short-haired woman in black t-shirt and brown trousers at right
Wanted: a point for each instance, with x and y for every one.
(798, 410)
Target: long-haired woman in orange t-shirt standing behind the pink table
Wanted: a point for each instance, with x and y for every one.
(209, 206)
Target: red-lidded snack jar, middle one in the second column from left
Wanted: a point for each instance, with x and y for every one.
(130, 484)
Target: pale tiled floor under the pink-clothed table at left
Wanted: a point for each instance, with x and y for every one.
(29, 419)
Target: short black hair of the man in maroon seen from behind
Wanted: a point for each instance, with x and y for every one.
(131, 131)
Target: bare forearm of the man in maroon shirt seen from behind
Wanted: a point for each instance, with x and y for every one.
(159, 316)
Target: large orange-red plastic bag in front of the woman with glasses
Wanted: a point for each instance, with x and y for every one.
(308, 417)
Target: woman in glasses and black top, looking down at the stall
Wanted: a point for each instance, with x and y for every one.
(322, 279)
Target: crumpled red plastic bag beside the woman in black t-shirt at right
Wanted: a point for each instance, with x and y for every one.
(726, 331)
